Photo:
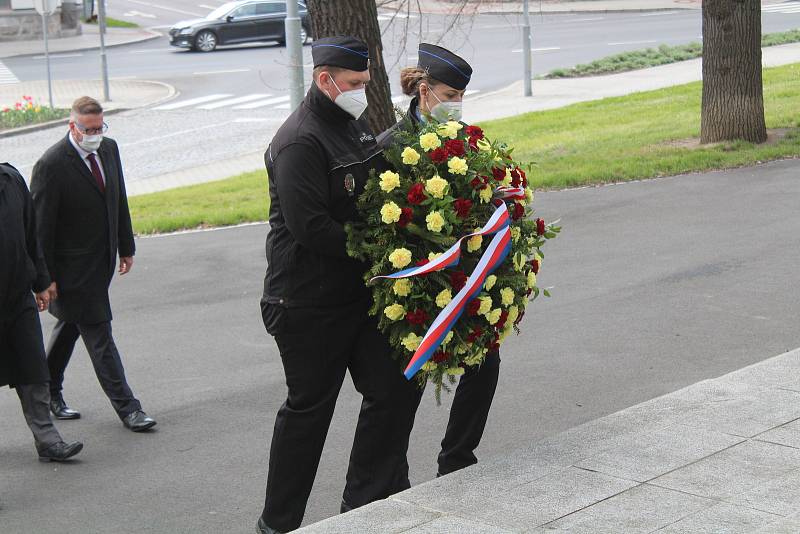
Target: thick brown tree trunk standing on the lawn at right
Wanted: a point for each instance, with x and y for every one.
(733, 102)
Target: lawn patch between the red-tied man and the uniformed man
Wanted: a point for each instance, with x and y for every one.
(242, 198)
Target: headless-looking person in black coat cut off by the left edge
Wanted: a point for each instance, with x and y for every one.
(22, 359)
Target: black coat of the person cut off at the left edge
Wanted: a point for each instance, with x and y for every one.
(22, 268)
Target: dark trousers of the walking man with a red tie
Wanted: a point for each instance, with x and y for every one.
(105, 358)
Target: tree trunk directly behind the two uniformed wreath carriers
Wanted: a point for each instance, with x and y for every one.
(359, 18)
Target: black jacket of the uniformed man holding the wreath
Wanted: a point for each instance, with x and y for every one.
(318, 164)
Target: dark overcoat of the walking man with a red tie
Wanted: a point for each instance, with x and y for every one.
(81, 229)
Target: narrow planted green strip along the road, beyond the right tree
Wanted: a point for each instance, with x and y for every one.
(653, 57)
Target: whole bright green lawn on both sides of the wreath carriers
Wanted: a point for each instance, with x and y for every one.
(614, 139)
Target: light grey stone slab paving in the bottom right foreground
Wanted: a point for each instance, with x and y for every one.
(722, 455)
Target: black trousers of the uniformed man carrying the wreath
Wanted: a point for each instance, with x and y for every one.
(317, 347)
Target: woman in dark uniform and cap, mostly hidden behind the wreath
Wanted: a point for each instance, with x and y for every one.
(437, 85)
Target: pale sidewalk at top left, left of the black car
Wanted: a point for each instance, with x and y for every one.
(90, 39)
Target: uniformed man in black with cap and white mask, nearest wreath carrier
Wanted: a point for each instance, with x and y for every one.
(315, 301)
